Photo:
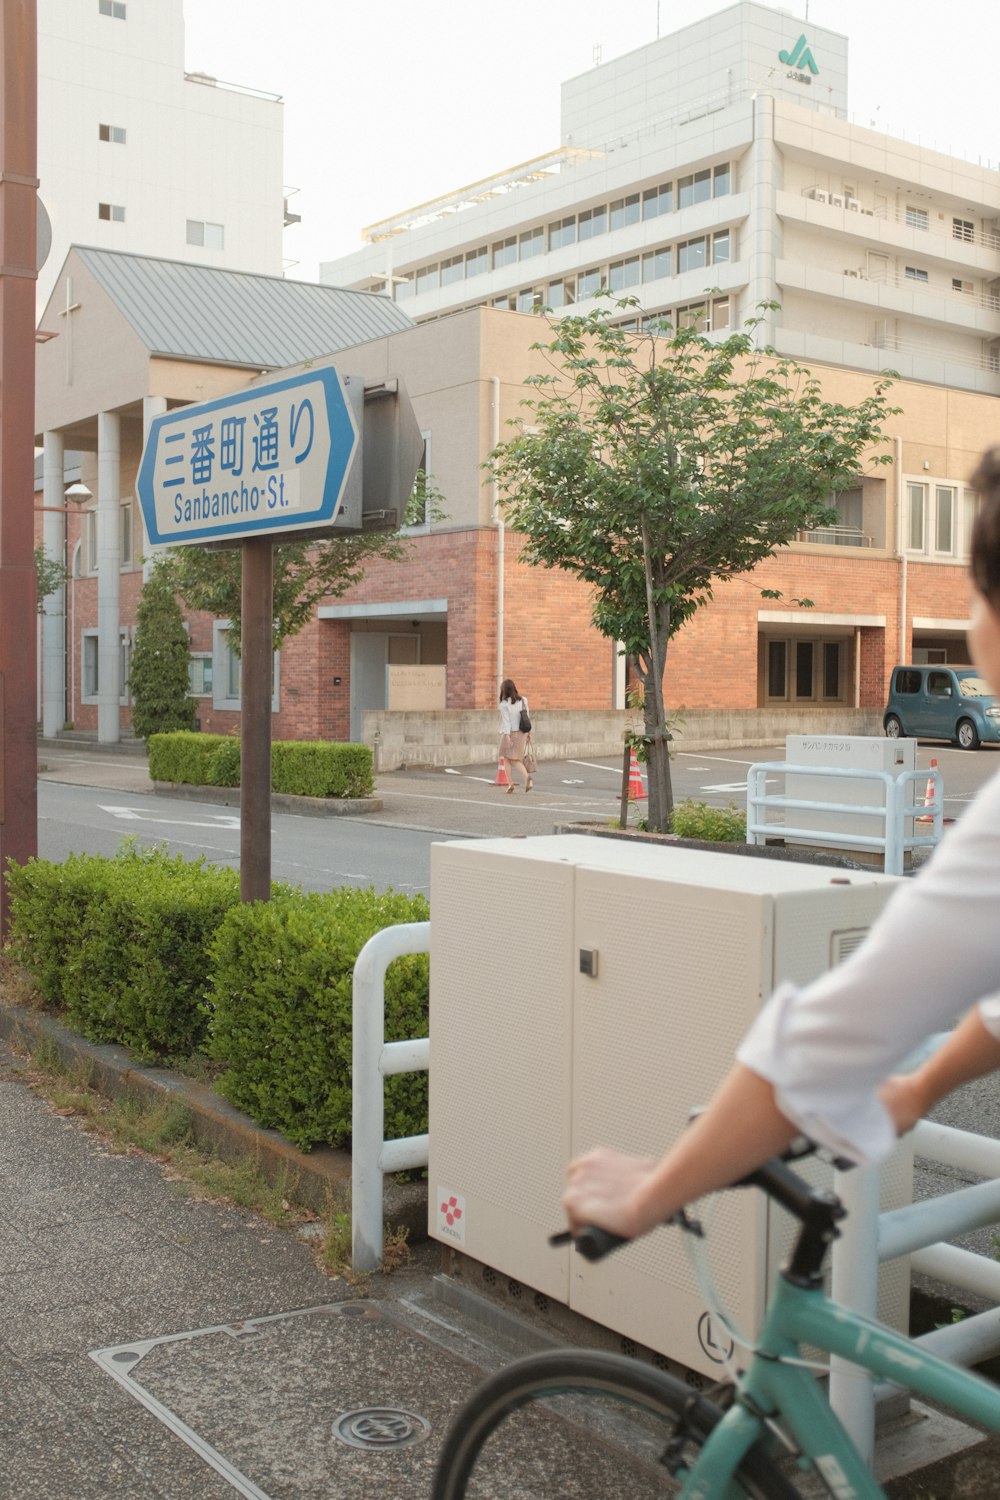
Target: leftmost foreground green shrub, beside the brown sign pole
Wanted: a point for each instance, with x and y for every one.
(121, 946)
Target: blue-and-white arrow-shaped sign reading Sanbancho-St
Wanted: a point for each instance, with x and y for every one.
(269, 460)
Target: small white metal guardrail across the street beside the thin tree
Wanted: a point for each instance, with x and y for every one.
(896, 829)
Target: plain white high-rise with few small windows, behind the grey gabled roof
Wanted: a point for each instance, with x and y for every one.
(137, 155)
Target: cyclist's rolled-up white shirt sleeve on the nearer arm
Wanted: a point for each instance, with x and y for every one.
(933, 953)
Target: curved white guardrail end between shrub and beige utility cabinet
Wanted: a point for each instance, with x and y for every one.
(373, 1061)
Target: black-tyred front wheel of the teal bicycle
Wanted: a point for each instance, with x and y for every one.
(566, 1423)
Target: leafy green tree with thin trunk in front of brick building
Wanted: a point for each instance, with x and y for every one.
(657, 466)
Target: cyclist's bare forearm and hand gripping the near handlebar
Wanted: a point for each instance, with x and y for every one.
(741, 1129)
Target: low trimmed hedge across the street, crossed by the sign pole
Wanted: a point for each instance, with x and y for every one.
(299, 767)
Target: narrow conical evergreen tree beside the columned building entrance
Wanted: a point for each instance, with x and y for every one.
(158, 676)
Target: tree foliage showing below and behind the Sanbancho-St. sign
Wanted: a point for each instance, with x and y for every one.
(305, 572)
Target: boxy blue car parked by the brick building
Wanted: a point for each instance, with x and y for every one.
(942, 703)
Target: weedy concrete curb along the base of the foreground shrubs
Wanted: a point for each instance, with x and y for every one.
(319, 1177)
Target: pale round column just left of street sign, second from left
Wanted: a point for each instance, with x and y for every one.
(109, 577)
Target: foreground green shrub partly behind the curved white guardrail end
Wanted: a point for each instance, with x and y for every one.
(281, 1010)
